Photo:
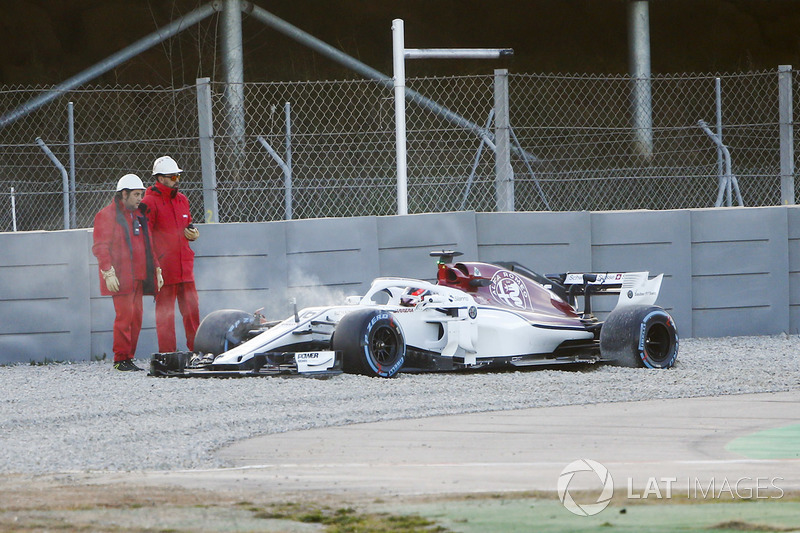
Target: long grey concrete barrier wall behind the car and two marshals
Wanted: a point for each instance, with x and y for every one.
(726, 271)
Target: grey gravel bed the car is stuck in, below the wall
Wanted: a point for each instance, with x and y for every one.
(84, 416)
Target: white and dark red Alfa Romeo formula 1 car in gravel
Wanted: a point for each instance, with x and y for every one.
(475, 315)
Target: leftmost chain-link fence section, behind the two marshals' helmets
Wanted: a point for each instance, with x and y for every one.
(116, 131)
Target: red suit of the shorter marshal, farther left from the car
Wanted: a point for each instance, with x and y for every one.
(122, 240)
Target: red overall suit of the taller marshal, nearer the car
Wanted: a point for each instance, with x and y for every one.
(169, 215)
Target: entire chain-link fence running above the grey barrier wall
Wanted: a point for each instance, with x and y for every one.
(573, 147)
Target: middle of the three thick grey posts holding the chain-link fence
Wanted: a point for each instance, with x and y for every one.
(504, 174)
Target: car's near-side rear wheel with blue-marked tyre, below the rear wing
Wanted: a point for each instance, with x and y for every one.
(639, 336)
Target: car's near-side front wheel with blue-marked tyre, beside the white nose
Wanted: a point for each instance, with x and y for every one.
(371, 343)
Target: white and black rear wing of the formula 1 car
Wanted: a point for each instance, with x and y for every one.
(633, 288)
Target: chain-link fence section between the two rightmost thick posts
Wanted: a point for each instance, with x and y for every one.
(579, 128)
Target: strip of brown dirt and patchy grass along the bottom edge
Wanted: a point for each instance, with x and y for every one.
(77, 502)
